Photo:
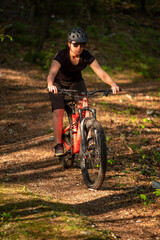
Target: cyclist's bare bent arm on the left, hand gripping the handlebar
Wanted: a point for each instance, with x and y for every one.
(55, 66)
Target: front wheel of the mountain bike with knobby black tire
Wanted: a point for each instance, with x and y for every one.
(94, 161)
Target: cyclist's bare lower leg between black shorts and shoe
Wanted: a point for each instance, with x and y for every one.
(57, 122)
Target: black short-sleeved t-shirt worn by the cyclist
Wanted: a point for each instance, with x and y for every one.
(68, 72)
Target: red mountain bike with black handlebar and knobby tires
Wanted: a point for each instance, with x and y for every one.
(84, 135)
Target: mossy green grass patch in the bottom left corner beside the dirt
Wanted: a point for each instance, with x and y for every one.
(24, 215)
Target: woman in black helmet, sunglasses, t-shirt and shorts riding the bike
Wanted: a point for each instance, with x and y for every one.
(65, 72)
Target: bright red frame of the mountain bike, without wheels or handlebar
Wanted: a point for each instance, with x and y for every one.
(75, 126)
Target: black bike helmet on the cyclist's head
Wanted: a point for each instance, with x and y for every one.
(77, 35)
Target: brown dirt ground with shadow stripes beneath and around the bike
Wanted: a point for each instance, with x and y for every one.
(131, 123)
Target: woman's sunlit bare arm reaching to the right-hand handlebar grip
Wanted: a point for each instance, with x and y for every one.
(104, 76)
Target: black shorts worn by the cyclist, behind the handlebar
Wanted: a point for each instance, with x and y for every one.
(57, 100)
